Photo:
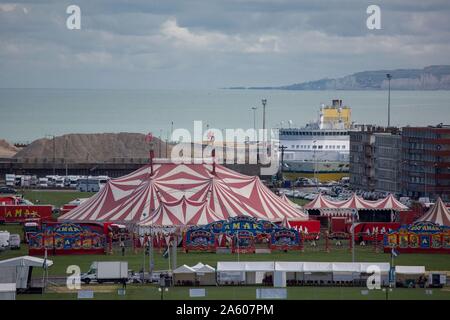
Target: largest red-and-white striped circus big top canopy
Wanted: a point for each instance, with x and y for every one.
(174, 194)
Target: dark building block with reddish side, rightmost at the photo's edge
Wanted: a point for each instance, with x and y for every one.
(426, 161)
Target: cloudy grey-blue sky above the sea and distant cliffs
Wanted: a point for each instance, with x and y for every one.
(210, 44)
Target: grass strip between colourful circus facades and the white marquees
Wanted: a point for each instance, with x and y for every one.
(136, 259)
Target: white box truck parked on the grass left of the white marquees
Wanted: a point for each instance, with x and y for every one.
(106, 271)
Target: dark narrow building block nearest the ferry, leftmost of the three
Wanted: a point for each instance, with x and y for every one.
(363, 157)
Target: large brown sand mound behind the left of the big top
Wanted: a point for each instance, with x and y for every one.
(92, 148)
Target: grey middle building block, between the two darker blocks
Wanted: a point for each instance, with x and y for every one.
(388, 162)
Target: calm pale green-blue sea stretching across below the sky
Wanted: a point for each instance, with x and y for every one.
(29, 114)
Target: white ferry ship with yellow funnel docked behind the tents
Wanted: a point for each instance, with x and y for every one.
(321, 149)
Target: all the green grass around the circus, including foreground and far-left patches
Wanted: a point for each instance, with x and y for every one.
(136, 260)
